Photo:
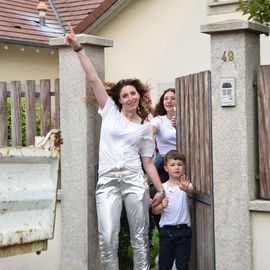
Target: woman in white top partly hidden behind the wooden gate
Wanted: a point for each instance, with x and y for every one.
(163, 125)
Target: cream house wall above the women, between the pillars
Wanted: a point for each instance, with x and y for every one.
(158, 40)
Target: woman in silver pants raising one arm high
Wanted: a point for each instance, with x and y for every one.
(125, 137)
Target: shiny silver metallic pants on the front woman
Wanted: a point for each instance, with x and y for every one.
(113, 189)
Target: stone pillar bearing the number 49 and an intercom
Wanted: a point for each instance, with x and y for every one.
(235, 52)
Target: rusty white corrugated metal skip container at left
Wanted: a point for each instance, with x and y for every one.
(28, 187)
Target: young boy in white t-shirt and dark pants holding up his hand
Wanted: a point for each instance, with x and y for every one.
(175, 225)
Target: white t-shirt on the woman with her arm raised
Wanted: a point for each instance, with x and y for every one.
(121, 141)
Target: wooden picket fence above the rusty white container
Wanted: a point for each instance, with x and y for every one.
(31, 103)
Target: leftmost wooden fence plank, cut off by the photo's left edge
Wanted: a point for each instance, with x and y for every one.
(3, 115)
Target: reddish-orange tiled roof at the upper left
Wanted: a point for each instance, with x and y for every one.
(19, 19)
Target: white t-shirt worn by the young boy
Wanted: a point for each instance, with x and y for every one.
(177, 211)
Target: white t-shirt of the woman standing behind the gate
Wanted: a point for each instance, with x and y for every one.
(166, 134)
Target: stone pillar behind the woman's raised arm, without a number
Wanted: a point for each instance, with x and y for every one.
(80, 126)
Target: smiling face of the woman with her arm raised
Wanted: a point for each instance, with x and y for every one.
(129, 98)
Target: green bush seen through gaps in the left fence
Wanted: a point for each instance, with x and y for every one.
(23, 121)
